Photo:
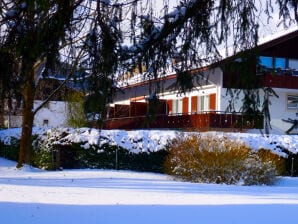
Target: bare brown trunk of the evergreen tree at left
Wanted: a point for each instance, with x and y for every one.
(27, 120)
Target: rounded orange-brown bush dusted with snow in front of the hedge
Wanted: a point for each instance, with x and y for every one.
(212, 159)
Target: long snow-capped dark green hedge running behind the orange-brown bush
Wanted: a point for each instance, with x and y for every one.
(143, 149)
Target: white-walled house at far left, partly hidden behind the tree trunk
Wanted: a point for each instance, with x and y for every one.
(53, 114)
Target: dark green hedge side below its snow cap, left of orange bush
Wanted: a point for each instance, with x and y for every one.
(104, 156)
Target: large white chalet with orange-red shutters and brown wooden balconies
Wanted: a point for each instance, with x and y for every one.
(274, 64)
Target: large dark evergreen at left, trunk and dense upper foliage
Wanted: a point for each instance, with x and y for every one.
(33, 31)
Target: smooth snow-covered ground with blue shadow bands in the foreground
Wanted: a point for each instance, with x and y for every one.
(106, 197)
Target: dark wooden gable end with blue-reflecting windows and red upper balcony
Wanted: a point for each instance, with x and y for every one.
(277, 57)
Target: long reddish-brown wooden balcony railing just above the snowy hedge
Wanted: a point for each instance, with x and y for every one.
(203, 122)
